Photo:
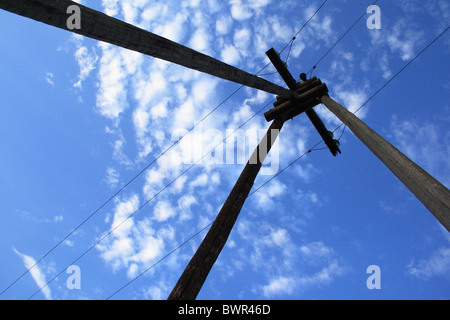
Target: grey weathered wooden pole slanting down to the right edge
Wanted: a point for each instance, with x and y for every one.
(433, 194)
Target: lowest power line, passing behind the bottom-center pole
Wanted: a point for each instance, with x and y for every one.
(313, 148)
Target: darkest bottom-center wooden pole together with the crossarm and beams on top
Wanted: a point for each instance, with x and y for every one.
(302, 97)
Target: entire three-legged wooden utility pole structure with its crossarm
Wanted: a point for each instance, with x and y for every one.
(301, 97)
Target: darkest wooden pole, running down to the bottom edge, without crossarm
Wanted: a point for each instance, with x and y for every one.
(193, 277)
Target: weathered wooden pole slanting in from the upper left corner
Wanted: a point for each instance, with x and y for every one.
(99, 26)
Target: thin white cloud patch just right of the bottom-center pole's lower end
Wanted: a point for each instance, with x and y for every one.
(289, 268)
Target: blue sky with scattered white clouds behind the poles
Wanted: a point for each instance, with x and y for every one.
(81, 118)
